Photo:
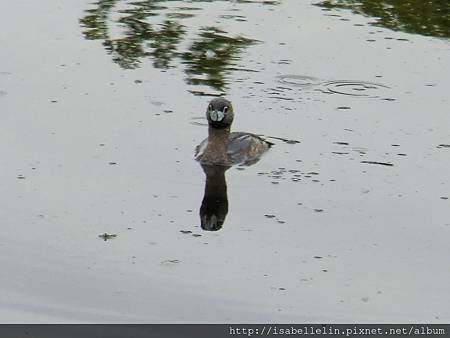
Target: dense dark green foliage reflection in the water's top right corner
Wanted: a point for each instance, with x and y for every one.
(425, 17)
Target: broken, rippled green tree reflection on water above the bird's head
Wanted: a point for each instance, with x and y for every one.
(132, 31)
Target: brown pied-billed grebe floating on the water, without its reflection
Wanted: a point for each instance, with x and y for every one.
(224, 148)
